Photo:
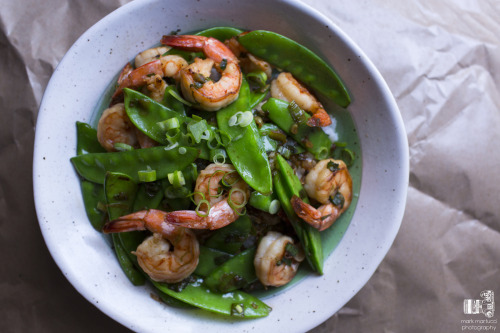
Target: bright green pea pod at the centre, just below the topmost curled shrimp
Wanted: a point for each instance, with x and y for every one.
(246, 149)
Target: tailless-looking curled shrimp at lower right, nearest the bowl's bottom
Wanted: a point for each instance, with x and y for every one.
(275, 264)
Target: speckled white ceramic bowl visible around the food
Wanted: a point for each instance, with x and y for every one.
(78, 83)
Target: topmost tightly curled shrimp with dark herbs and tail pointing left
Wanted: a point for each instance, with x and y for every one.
(195, 80)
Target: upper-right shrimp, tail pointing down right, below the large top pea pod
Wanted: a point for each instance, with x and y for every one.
(287, 88)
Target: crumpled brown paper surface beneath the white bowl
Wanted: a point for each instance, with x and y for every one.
(440, 59)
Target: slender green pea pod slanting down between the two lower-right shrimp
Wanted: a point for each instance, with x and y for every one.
(287, 184)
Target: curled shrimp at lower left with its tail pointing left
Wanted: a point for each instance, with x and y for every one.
(154, 254)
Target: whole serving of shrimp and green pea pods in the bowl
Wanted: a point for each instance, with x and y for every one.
(212, 171)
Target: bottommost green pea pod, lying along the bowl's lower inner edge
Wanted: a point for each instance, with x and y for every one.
(235, 303)
